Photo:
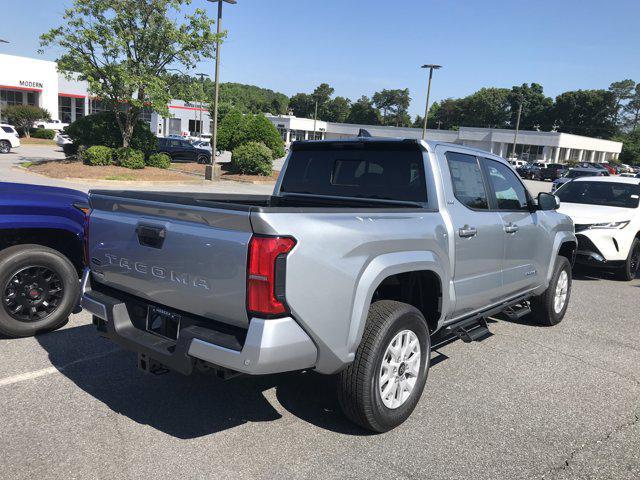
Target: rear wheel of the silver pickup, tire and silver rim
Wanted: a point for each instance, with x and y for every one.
(383, 385)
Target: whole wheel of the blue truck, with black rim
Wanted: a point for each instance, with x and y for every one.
(39, 288)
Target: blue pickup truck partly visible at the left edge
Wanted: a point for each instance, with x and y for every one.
(41, 240)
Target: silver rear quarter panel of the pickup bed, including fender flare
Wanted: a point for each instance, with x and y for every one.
(339, 260)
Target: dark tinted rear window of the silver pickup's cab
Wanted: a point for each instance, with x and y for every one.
(385, 172)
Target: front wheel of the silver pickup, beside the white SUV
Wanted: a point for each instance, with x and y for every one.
(549, 308)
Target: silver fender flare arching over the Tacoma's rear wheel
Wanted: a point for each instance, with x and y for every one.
(376, 271)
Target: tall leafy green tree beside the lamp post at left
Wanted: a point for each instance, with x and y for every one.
(124, 49)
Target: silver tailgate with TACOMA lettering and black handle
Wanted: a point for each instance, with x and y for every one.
(187, 257)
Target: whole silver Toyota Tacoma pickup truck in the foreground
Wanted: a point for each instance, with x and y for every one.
(368, 253)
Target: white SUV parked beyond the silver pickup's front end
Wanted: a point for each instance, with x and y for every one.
(606, 214)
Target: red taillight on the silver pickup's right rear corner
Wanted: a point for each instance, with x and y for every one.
(265, 275)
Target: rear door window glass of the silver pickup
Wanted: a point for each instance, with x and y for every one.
(466, 177)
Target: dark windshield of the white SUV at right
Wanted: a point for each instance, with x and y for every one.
(608, 194)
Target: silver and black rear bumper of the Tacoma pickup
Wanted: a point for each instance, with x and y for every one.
(271, 346)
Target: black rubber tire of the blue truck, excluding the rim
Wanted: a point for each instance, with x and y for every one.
(20, 257)
